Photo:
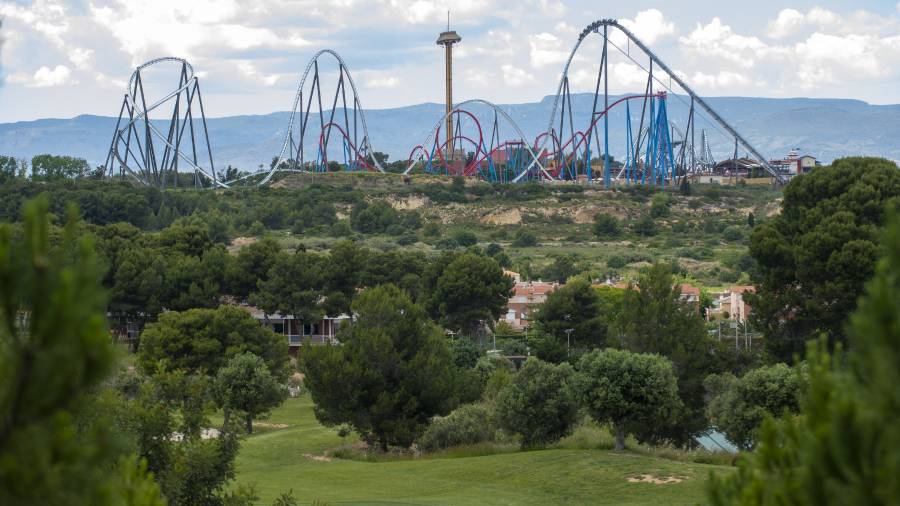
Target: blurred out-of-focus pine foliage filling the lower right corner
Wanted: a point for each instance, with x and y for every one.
(842, 449)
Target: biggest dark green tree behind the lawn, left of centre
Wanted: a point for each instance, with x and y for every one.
(392, 372)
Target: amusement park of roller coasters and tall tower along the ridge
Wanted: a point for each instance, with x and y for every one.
(462, 143)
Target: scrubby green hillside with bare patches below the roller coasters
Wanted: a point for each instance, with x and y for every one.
(545, 231)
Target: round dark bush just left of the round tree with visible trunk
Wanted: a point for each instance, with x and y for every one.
(539, 404)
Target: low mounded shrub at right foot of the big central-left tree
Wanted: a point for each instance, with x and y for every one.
(466, 425)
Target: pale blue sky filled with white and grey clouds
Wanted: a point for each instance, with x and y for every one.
(64, 58)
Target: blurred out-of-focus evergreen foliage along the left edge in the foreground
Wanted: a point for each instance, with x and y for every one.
(54, 350)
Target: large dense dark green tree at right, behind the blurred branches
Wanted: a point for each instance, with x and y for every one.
(816, 255)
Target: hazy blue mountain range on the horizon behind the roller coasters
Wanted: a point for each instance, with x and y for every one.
(824, 128)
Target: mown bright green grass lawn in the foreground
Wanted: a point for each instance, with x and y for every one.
(280, 455)
